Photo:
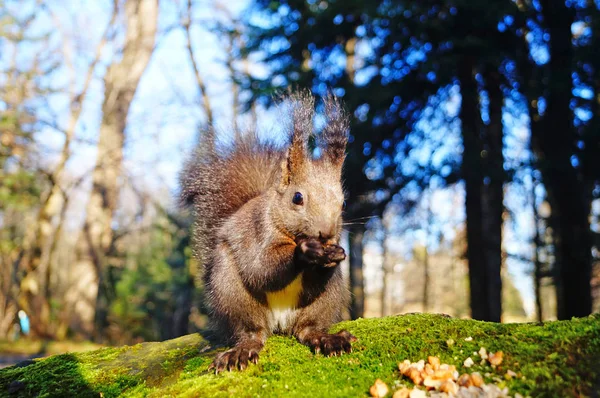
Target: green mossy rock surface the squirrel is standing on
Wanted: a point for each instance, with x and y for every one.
(559, 359)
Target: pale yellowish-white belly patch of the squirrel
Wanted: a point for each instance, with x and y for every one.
(283, 304)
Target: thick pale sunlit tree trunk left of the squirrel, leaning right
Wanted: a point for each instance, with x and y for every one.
(88, 294)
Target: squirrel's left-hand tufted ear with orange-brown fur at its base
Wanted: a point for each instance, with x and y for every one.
(302, 121)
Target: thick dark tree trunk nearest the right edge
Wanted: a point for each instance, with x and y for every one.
(567, 193)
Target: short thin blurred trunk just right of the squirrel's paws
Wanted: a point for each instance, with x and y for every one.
(357, 306)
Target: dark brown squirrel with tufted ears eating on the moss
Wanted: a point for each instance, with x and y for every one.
(267, 228)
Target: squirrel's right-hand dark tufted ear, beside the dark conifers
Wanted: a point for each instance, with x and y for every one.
(335, 133)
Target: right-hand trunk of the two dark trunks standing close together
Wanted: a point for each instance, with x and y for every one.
(493, 194)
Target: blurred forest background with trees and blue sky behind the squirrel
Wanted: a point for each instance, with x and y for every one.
(473, 175)
